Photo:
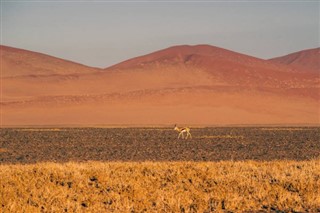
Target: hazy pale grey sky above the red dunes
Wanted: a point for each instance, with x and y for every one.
(102, 33)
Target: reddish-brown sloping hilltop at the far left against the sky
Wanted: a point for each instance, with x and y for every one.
(19, 62)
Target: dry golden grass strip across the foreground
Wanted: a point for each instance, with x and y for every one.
(161, 187)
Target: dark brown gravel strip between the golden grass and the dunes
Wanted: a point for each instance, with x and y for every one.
(32, 145)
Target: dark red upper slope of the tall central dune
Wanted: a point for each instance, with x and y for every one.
(223, 66)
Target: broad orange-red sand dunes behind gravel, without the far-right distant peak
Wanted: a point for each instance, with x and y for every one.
(194, 85)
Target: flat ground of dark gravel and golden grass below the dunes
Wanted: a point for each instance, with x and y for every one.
(225, 169)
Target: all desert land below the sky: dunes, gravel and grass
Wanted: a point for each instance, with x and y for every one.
(82, 139)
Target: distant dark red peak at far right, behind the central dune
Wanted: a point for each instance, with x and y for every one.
(305, 60)
